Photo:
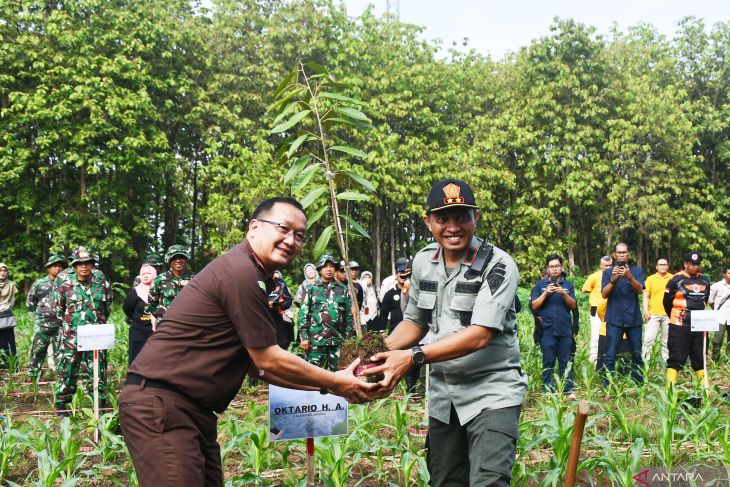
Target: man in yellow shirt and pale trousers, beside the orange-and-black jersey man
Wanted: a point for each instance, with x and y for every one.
(654, 314)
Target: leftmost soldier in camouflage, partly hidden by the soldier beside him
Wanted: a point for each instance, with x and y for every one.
(46, 324)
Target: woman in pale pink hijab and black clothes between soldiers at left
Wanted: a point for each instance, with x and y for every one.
(142, 324)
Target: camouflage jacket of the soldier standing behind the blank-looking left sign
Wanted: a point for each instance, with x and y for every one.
(78, 303)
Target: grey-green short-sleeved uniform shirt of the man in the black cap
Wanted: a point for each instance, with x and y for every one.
(489, 378)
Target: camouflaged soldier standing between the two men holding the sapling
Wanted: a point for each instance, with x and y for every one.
(325, 318)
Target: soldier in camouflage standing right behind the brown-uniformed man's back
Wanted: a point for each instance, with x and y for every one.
(168, 285)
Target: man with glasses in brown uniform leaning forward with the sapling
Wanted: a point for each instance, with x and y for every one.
(218, 329)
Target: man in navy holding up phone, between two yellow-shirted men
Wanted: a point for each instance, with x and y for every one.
(621, 286)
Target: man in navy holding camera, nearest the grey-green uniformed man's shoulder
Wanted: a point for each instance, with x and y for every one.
(552, 300)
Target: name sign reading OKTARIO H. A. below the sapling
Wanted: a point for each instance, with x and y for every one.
(305, 414)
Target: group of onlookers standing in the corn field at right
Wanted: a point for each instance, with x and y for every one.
(620, 323)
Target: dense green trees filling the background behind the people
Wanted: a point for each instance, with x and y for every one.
(130, 125)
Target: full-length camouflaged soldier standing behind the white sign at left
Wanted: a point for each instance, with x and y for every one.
(82, 296)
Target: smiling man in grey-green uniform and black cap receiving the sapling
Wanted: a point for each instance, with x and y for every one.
(463, 291)
